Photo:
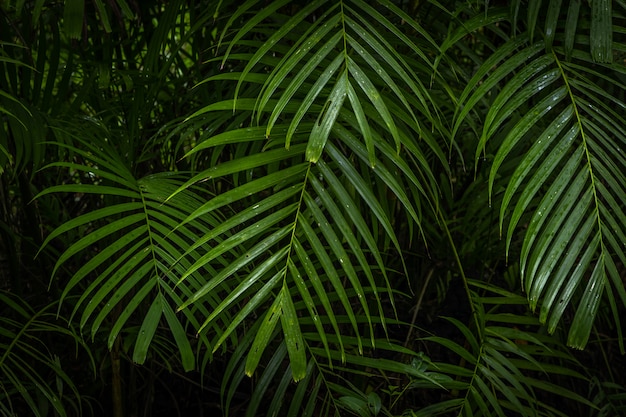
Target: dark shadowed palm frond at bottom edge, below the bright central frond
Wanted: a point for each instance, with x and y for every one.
(326, 386)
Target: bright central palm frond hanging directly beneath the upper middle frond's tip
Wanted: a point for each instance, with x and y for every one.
(286, 236)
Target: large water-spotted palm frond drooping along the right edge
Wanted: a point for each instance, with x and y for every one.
(569, 177)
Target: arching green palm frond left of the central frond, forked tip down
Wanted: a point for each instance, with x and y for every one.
(131, 256)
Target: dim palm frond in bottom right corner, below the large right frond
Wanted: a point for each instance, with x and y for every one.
(503, 373)
